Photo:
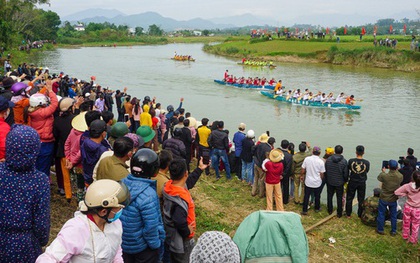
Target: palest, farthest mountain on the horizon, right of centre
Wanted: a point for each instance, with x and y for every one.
(244, 20)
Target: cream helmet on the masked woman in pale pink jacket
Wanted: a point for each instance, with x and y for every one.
(105, 193)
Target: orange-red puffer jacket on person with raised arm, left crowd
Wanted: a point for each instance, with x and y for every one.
(42, 119)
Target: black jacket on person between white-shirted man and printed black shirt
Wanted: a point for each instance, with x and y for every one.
(336, 170)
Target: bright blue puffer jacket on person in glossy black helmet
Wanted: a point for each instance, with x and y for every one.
(142, 220)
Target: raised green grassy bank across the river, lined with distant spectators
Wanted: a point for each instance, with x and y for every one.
(348, 52)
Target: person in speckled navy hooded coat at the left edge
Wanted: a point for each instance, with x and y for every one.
(25, 202)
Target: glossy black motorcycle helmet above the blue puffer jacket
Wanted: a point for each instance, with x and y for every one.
(144, 163)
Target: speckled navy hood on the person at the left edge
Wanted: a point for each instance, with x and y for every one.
(22, 148)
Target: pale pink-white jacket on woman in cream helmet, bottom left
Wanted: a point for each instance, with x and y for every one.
(75, 243)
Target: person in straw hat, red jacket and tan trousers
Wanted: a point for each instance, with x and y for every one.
(274, 173)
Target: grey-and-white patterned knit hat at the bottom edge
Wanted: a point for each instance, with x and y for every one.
(215, 246)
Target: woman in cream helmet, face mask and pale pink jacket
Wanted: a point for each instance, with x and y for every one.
(94, 234)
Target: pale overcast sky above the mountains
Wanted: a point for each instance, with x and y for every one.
(274, 9)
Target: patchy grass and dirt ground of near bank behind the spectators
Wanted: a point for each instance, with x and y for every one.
(222, 205)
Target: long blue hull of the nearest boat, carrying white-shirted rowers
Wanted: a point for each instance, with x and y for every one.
(298, 101)
